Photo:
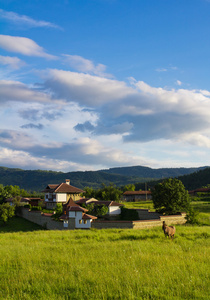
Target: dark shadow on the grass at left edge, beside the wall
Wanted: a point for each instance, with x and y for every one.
(16, 224)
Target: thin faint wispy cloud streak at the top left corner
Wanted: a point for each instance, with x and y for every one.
(25, 20)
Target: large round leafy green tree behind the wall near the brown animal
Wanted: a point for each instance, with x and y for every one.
(170, 197)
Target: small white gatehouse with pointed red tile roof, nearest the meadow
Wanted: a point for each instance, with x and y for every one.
(71, 210)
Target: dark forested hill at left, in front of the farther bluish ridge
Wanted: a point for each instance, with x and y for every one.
(37, 180)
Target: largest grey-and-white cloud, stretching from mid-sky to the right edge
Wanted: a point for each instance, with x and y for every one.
(139, 112)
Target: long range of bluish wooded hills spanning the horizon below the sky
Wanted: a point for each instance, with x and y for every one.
(37, 180)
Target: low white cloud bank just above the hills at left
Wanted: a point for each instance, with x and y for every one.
(84, 151)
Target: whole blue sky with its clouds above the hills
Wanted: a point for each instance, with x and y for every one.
(96, 84)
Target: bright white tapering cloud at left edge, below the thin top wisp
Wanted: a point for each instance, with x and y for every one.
(24, 46)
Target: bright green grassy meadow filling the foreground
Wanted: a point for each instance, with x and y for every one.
(105, 264)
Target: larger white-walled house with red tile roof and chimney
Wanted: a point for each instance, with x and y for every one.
(61, 193)
